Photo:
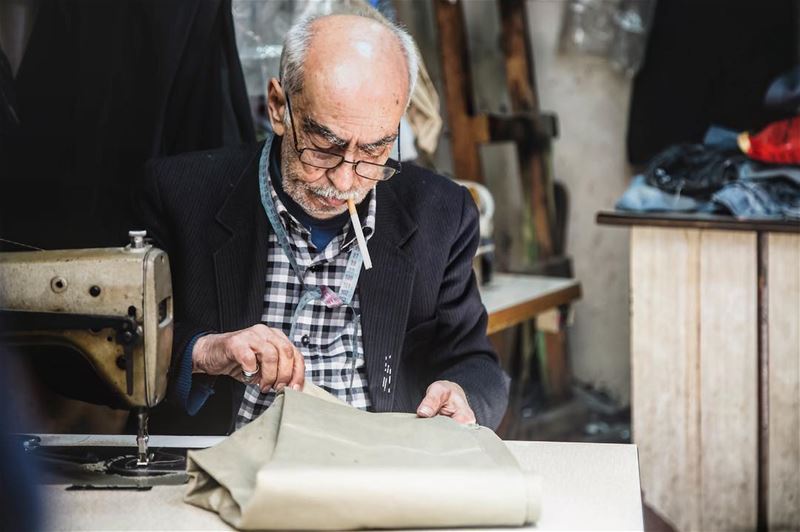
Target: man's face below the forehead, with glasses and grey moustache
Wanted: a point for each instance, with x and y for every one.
(323, 193)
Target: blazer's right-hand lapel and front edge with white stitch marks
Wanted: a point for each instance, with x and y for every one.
(385, 296)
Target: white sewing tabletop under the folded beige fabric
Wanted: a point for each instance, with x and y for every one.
(585, 487)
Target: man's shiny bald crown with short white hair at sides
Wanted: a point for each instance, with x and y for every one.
(348, 53)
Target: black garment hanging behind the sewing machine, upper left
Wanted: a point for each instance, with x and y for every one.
(103, 87)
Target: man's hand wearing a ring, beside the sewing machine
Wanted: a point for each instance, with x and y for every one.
(258, 347)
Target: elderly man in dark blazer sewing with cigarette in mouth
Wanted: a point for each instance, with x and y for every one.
(269, 279)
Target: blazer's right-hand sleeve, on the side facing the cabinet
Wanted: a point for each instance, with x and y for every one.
(464, 353)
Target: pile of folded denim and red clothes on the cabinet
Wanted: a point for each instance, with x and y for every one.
(754, 177)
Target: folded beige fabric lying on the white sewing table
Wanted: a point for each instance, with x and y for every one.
(312, 462)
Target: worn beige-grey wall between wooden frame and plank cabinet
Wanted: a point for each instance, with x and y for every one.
(591, 101)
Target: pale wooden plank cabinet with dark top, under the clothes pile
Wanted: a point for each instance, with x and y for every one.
(715, 348)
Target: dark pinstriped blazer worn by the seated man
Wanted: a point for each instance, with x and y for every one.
(422, 316)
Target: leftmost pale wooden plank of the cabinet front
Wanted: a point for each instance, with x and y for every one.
(664, 271)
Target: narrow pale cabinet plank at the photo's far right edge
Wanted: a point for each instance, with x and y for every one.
(783, 278)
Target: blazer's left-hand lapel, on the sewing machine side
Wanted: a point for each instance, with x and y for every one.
(240, 259)
